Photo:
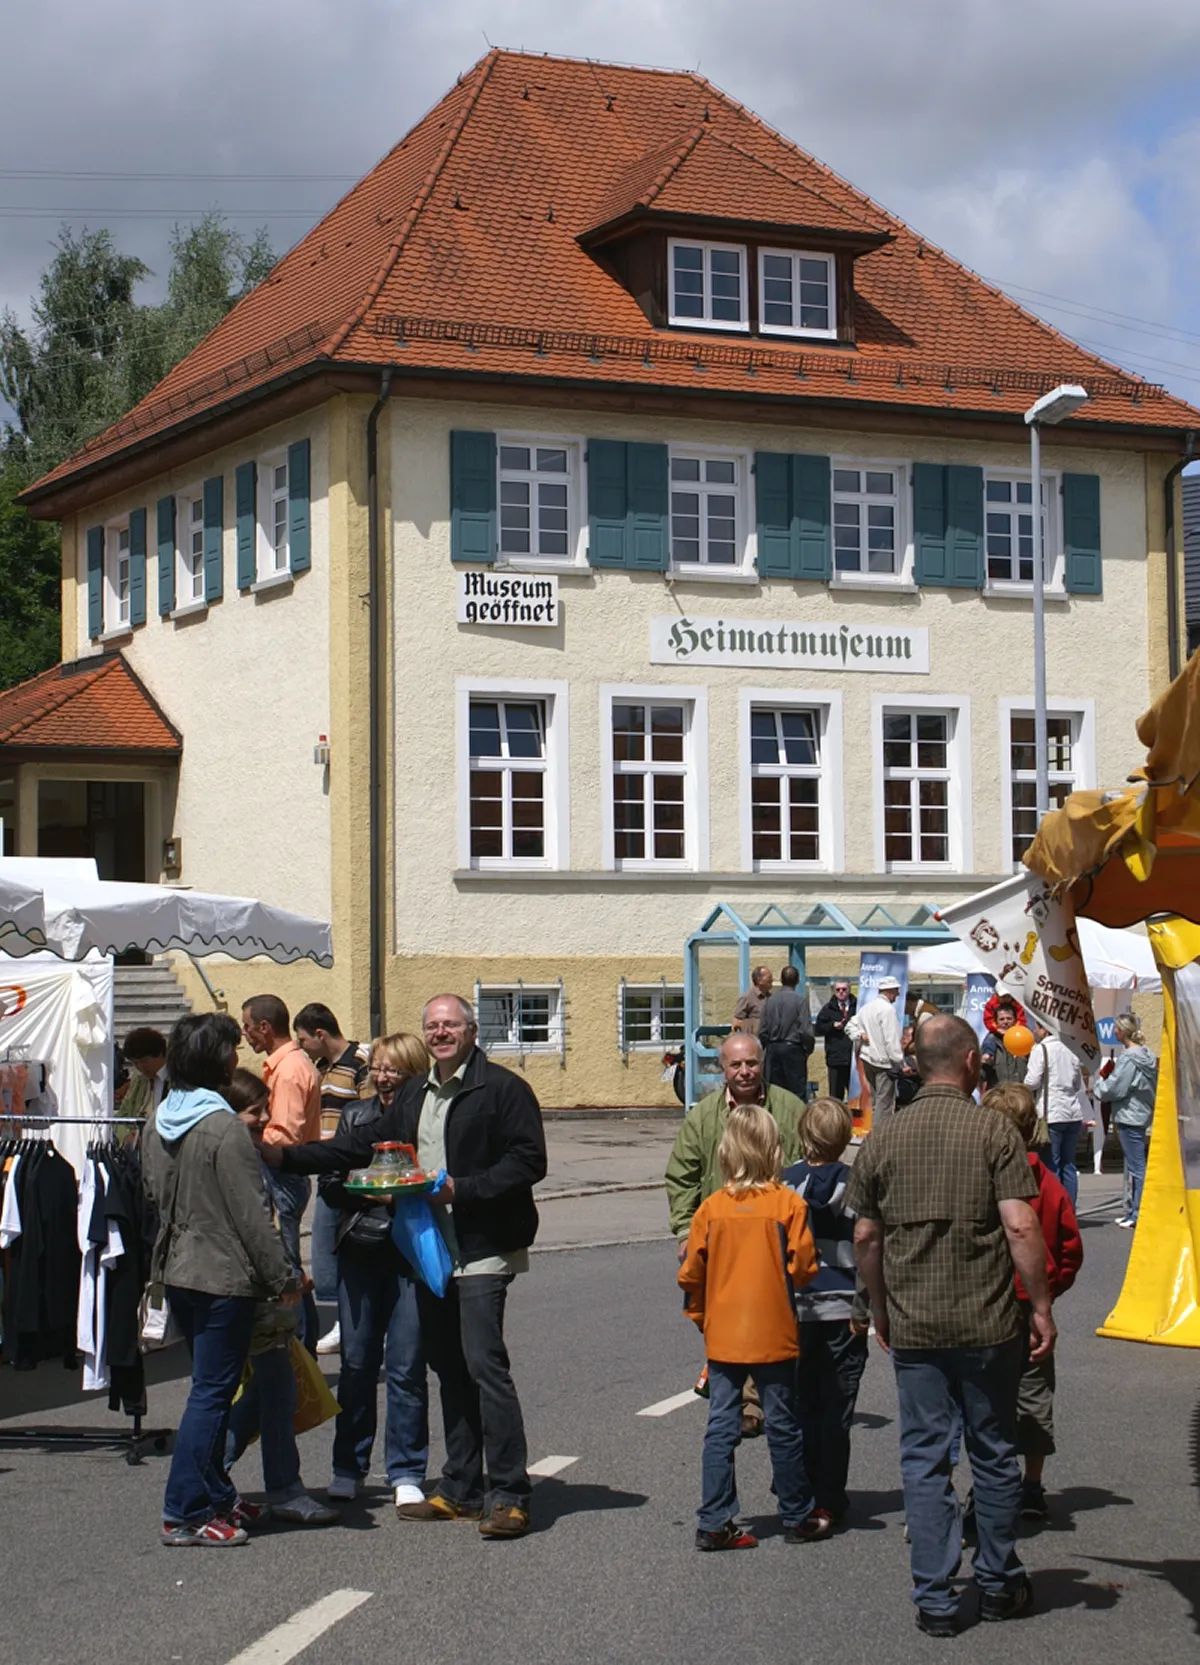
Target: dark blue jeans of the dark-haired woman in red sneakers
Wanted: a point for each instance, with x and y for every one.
(217, 1331)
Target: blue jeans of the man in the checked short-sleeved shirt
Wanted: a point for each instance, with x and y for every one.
(935, 1388)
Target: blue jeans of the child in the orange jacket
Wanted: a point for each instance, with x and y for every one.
(776, 1384)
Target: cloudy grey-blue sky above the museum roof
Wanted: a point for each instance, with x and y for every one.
(1053, 146)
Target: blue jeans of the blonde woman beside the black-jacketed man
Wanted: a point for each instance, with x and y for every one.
(380, 1328)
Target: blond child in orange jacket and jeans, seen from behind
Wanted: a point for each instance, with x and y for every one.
(750, 1250)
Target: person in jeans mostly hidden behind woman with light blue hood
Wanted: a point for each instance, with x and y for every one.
(267, 1406)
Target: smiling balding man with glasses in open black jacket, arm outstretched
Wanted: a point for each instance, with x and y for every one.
(483, 1126)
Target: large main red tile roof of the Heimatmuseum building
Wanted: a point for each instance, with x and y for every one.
(460, 254)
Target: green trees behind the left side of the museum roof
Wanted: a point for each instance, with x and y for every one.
(92, 354)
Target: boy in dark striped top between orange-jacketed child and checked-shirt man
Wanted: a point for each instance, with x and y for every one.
(833, 1323)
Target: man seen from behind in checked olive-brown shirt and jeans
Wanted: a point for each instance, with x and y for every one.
(943, 1196)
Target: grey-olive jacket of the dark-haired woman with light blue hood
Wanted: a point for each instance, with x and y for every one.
(216, 1235)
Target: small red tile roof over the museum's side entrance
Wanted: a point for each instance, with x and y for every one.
(94, 705)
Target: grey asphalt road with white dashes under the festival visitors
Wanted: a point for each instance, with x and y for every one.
(610, 1576)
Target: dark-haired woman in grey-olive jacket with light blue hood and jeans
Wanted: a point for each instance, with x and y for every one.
(219, 1256)
